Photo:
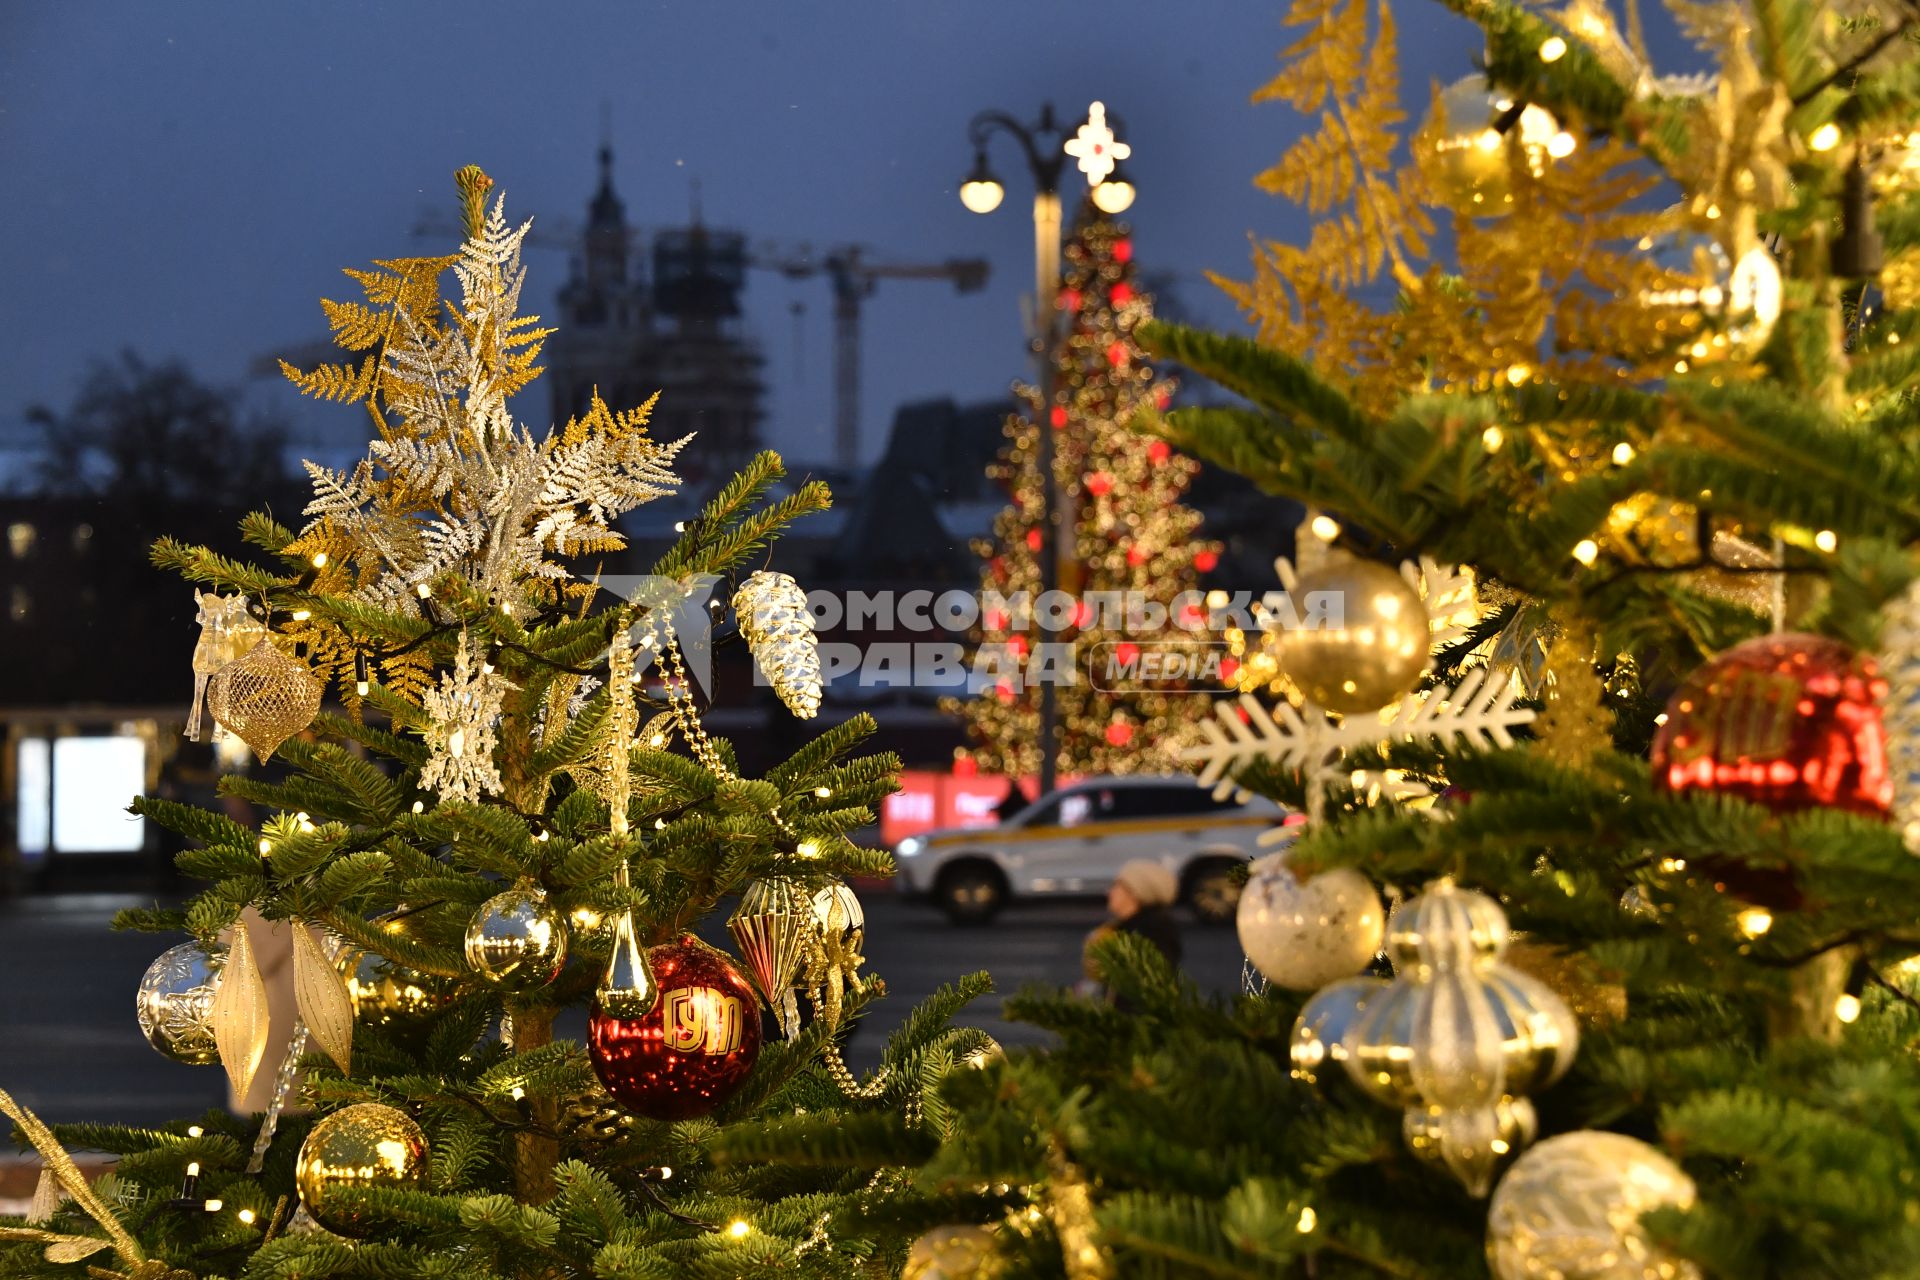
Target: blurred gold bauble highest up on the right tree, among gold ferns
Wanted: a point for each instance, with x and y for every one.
(1468, 158)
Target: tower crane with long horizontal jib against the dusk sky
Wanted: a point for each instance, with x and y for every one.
(848, 270)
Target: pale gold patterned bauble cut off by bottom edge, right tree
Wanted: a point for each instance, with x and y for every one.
(1570, 1210)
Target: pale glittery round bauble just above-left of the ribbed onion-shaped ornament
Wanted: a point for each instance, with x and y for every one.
(1308, 936)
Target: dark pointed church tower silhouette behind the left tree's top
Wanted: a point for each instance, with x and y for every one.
(606, 316)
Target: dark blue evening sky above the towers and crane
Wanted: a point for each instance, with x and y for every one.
(187, 179)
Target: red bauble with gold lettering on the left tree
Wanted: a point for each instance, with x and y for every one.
(698, 1045)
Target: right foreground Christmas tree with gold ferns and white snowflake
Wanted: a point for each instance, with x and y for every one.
(1598, 957)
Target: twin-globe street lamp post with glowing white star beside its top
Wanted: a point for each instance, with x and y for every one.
(1047, 149)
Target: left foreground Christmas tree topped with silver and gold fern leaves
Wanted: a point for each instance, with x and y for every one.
(498, 828)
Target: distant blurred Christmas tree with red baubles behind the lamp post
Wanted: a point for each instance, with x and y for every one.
(1126, 644)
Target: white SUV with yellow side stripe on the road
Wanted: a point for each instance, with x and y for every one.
(1076, 840)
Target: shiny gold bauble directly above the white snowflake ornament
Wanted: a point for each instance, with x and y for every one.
(1362, 638)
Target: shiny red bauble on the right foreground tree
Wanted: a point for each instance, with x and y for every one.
(1787, 721)
